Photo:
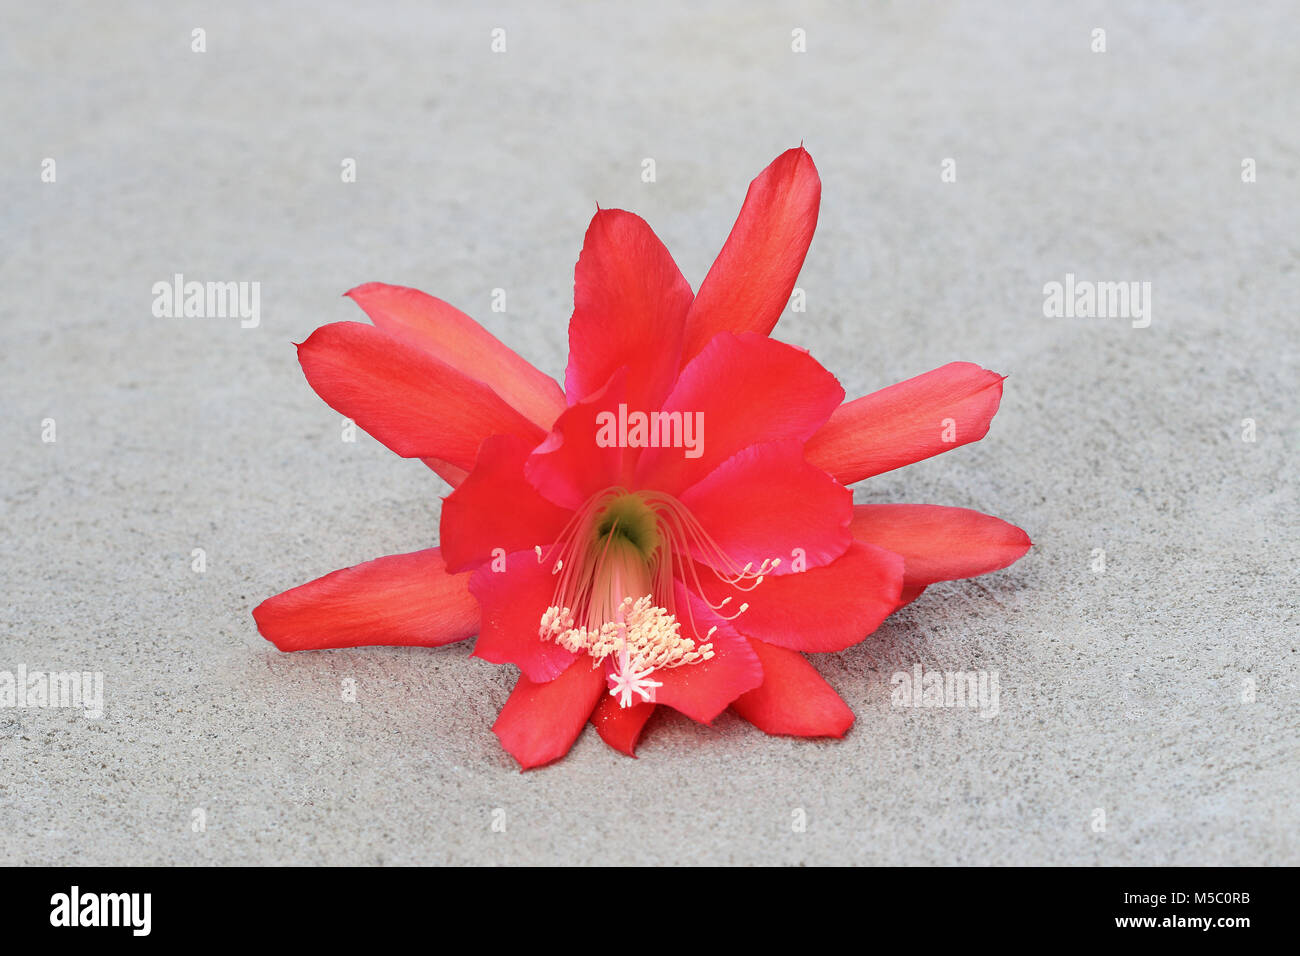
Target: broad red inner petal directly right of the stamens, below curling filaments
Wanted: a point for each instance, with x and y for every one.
(822, 609)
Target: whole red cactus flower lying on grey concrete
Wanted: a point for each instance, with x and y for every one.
(675, 526)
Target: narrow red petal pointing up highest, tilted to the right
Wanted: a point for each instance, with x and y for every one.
(749, 284)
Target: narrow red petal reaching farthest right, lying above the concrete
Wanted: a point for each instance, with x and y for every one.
(941, 544)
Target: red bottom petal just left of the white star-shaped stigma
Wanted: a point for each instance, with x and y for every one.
(540, 723)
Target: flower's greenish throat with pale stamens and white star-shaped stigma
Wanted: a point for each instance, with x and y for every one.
(616, 565)
